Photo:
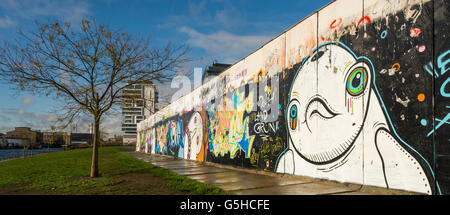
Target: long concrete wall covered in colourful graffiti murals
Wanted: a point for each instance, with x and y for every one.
(348, 94)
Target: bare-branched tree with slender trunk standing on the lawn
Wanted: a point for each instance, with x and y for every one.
(85, 67)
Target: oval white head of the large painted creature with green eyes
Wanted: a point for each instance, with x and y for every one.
(323, 121)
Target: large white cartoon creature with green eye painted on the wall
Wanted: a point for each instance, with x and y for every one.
(337, 129)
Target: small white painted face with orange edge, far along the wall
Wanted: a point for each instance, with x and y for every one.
(194, 134)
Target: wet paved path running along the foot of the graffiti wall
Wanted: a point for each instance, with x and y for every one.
(246, 182)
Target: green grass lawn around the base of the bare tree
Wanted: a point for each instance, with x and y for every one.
(67, 173)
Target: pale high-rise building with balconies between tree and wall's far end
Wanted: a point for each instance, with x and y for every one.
(138, 103)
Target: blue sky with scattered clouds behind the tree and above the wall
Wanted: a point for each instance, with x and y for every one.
(214, 29)
